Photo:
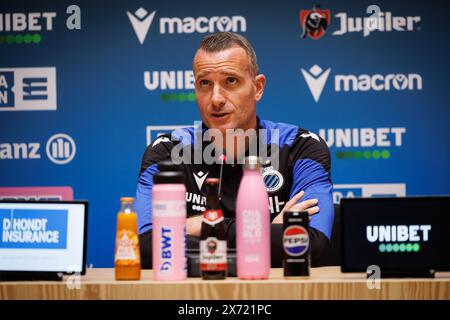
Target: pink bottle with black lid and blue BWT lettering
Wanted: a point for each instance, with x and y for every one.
(169, 223)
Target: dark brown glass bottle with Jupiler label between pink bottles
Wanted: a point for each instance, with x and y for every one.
(213, 244)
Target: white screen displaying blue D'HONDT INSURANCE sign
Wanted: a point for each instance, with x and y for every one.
(41, 236)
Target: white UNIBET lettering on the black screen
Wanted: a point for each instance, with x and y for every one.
(400, 233)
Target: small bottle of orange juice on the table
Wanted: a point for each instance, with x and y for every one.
(127, 259)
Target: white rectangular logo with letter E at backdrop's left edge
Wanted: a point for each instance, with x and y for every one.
(27, 89)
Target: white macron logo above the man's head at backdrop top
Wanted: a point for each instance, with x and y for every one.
(141, 22)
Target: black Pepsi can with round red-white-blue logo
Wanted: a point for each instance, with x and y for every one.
(296, 243)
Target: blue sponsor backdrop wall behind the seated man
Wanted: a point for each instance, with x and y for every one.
(381, 97)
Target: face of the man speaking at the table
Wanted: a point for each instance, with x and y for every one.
(226, 89)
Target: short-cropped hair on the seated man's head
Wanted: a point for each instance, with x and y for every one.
(225, 40)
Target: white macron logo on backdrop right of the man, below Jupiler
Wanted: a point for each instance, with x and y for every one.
(316, 79)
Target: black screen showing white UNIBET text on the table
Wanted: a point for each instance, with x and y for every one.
(396, 234)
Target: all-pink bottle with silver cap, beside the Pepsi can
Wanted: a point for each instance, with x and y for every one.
(252, 224)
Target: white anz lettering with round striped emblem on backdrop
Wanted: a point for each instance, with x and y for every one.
(60, 149)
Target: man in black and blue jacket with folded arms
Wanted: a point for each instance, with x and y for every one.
(228, 85)
